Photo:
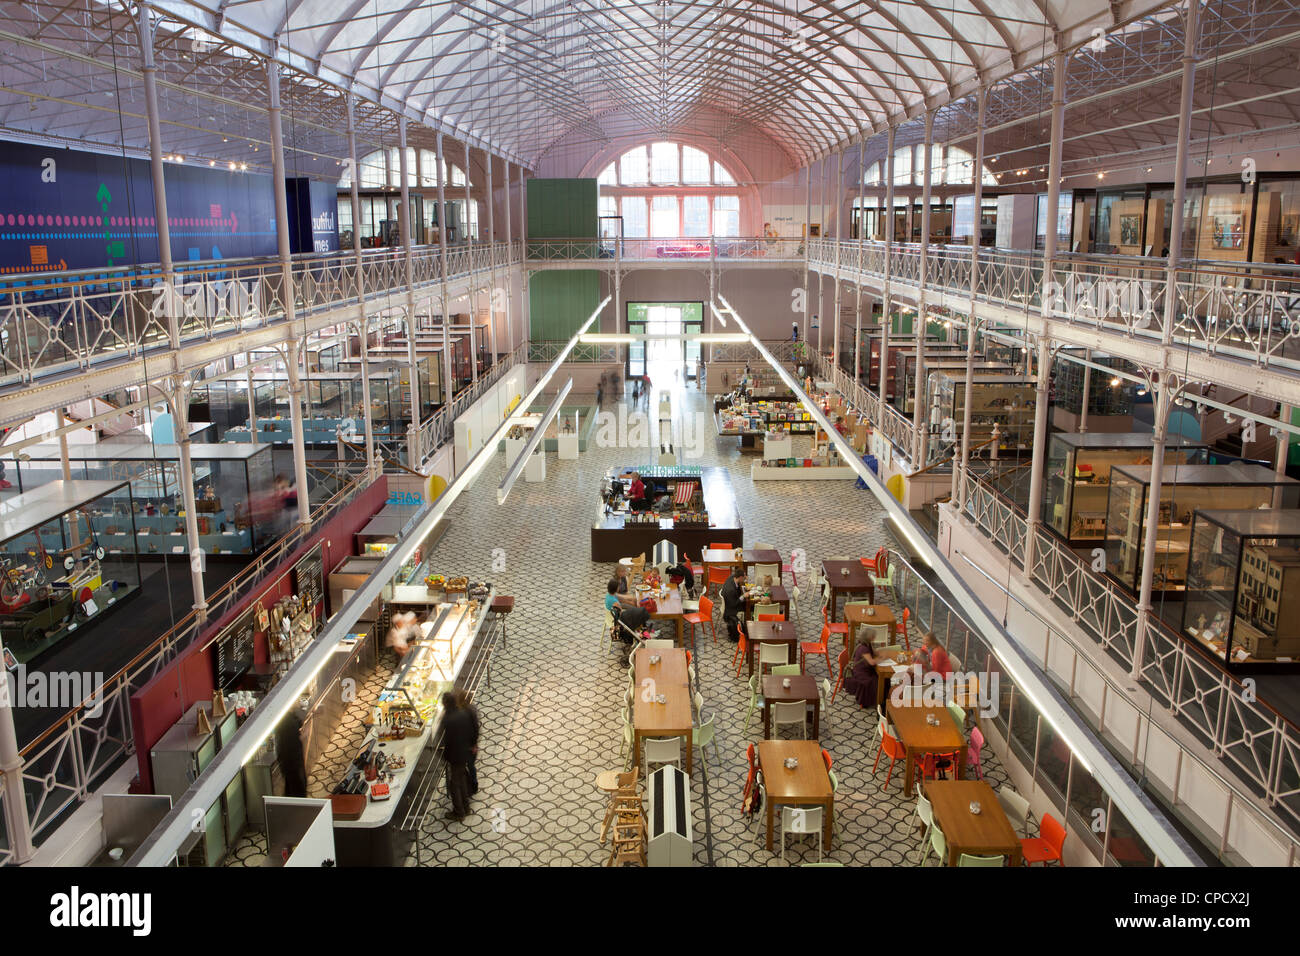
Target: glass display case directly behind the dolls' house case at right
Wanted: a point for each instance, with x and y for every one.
(1184, 490)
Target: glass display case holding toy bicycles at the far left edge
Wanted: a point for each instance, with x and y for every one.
(59, 573)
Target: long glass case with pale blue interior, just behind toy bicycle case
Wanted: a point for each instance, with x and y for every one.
(233, 490)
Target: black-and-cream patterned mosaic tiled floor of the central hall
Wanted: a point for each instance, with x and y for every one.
(551, 716)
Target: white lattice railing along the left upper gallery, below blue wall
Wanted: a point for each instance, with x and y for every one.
(75, 321)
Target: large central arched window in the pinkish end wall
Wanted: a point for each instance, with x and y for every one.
(665, 191)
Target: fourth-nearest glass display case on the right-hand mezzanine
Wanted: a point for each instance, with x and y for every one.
(1006, 401)
